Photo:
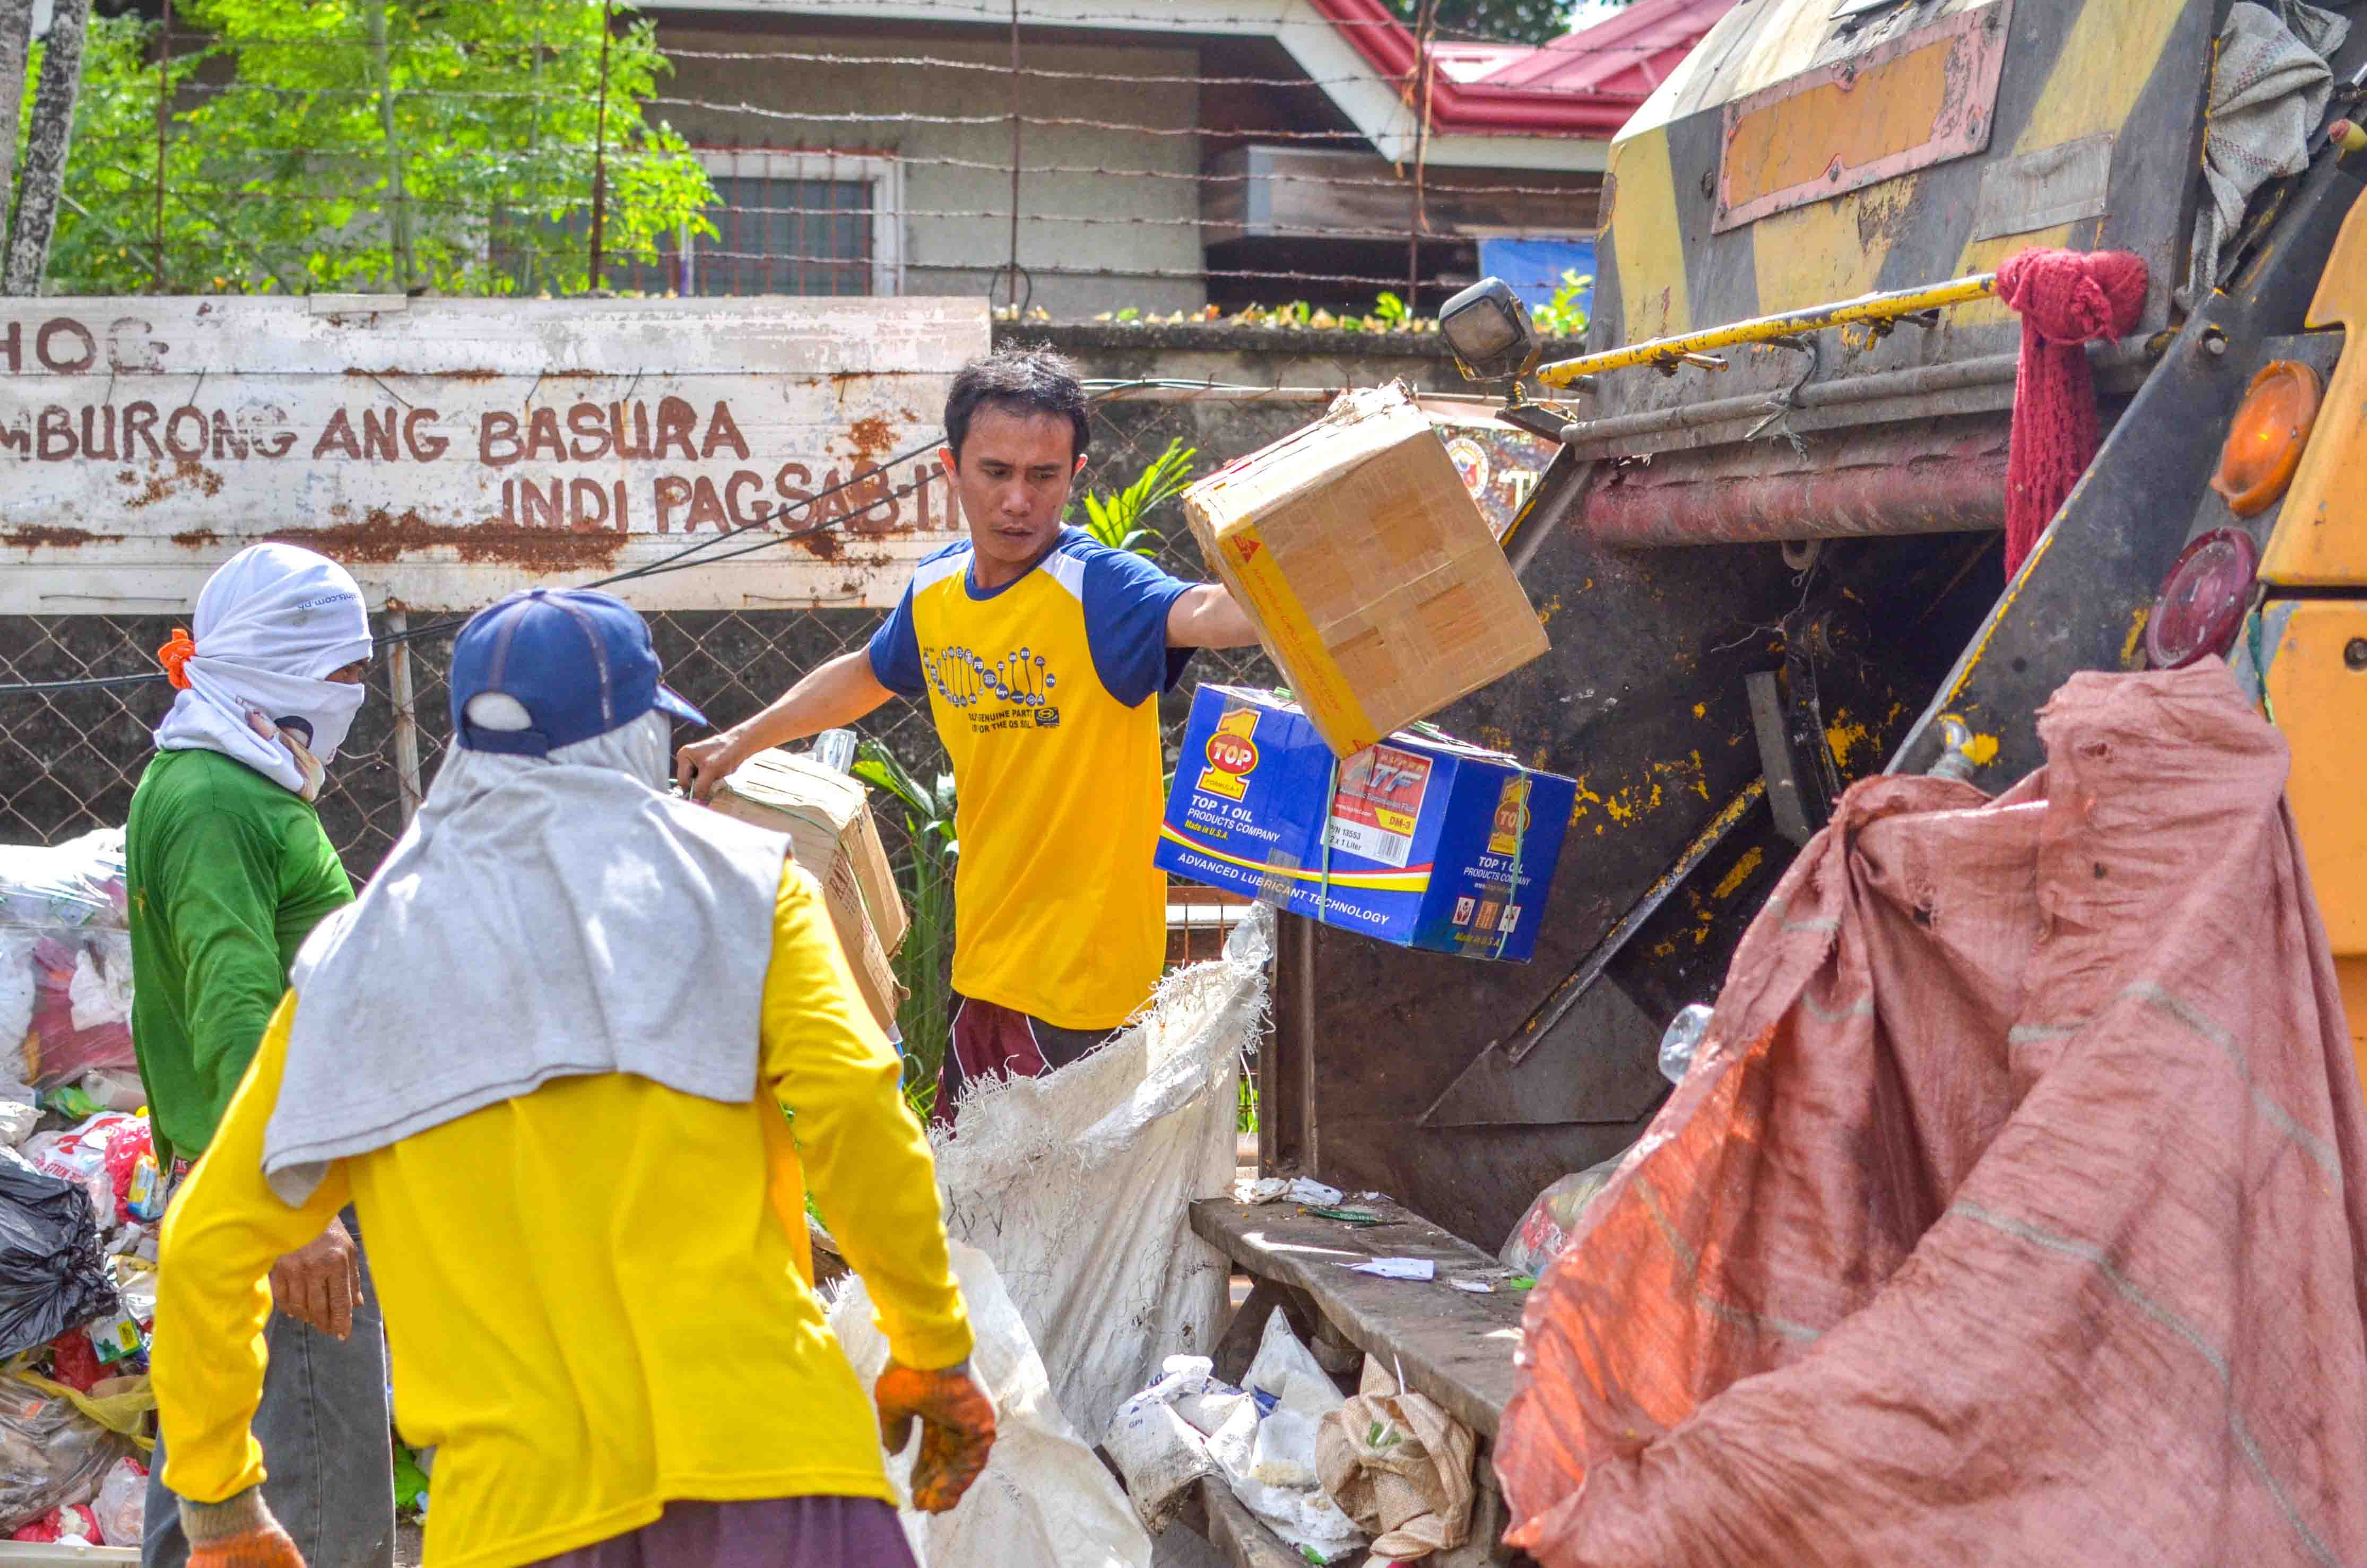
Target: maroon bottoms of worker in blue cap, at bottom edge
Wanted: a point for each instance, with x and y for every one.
(773, 1534)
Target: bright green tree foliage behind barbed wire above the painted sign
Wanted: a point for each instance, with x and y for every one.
(280, 165)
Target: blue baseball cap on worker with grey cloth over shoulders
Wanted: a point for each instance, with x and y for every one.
(576, 660)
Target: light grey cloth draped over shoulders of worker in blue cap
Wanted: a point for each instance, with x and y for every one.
(543, 918)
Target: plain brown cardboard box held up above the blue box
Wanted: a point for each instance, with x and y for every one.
(1374, 581)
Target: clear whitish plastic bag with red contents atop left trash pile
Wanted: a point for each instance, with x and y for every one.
(65, 963)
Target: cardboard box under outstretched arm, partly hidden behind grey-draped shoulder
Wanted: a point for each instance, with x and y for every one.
(832, 835)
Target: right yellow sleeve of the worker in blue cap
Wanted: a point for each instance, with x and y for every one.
(865, 1155)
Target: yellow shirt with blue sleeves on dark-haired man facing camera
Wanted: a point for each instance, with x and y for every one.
(1045, 695)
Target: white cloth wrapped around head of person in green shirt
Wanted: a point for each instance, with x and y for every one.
(269, 626)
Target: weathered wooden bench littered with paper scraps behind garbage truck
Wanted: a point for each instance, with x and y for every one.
(1455, 1347)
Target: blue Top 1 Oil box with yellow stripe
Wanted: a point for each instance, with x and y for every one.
(1428, 837)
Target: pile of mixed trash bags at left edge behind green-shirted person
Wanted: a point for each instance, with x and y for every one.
(79, 1202)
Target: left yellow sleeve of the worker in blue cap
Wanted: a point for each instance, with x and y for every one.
(221, 1240)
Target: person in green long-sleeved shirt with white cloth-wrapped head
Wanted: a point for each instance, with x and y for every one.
(228, 873)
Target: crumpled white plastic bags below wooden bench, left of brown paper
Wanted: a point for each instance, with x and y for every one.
(1263, 1441)
